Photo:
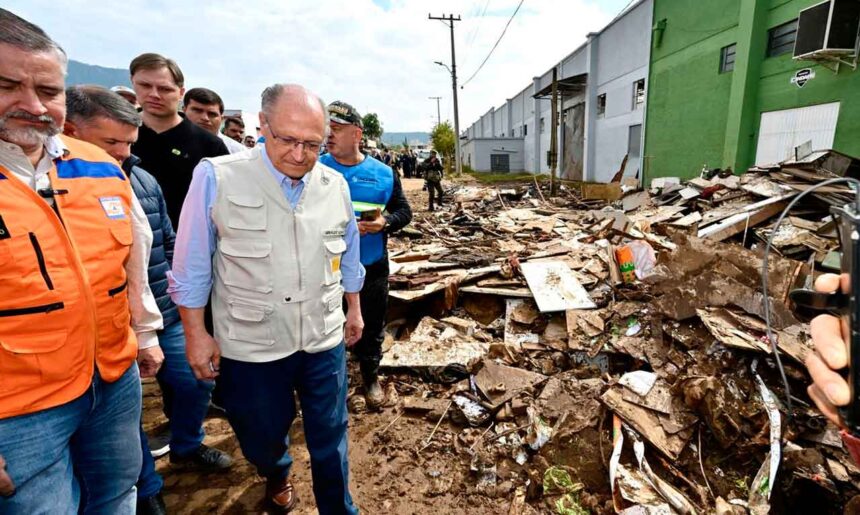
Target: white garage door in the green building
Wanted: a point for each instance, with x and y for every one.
(781, 131)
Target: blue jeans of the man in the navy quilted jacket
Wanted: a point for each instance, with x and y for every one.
(186, 405)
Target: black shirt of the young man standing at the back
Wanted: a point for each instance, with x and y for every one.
(171, 157)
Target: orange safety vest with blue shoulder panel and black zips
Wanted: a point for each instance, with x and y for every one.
(63, 287)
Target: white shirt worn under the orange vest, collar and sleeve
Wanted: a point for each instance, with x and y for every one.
(145, 316)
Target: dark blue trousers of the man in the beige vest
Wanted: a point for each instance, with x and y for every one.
(261, 406)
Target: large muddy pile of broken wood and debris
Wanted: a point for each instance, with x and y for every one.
(609, 356)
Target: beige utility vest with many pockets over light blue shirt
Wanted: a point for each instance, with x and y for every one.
(277, 280)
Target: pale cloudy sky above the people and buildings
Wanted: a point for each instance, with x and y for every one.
(375, 54)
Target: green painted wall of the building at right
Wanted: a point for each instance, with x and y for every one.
(698, 116)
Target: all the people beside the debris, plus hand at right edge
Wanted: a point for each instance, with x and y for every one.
(243, 301)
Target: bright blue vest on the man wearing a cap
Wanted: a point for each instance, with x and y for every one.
(371, 184)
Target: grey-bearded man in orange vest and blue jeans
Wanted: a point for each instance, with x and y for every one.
(74, 299)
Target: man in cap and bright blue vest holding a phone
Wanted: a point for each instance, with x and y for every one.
(382, 208)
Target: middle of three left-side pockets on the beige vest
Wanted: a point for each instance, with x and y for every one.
(247, 264)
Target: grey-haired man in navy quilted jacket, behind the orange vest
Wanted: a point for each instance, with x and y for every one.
(103, 118)
